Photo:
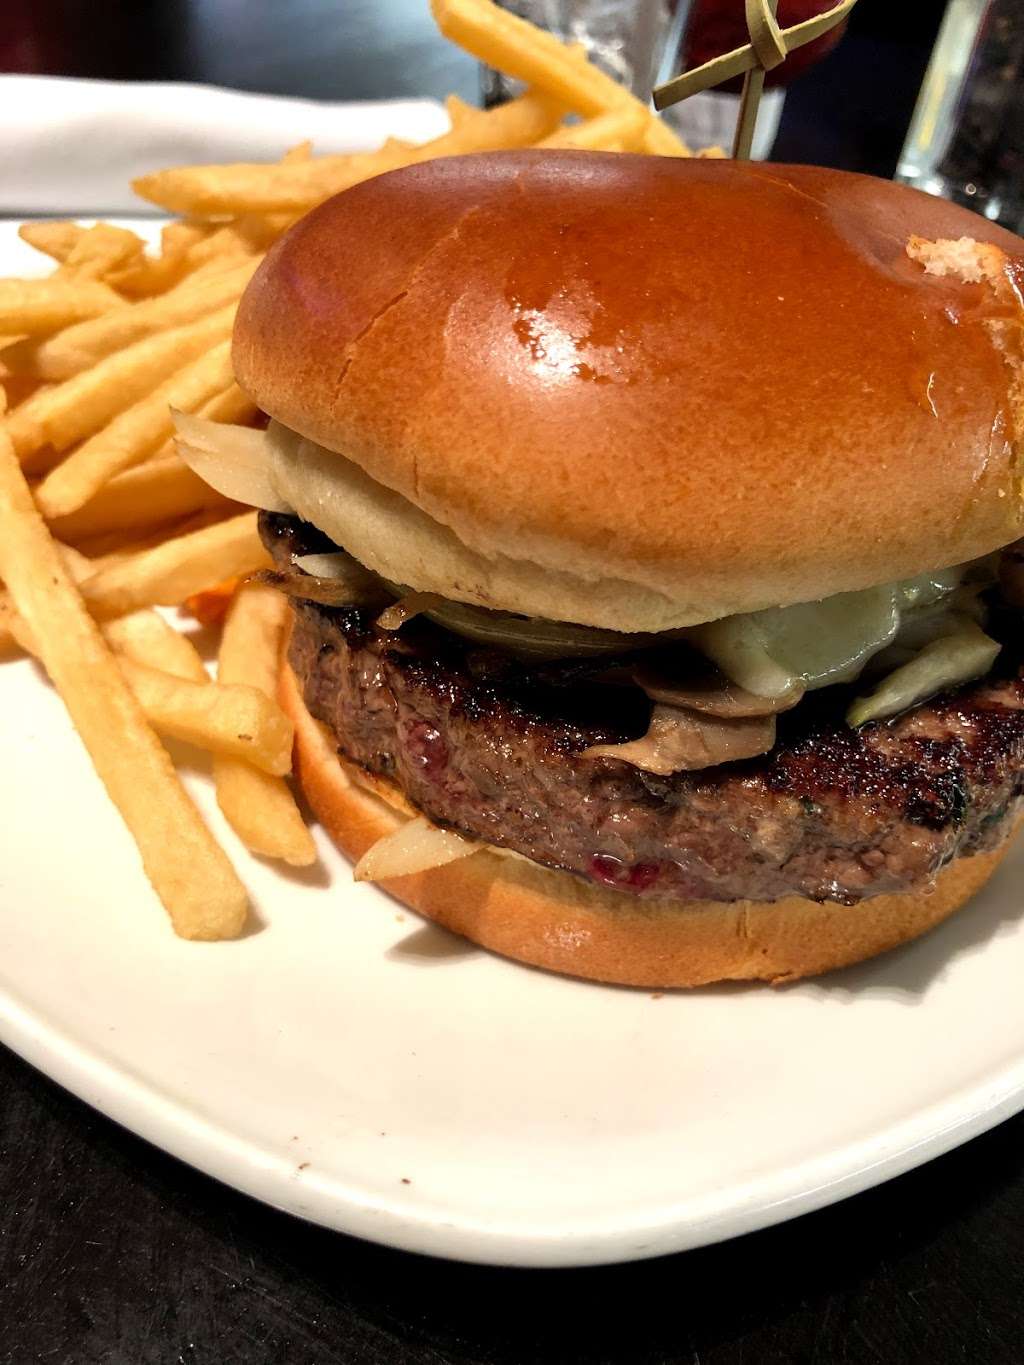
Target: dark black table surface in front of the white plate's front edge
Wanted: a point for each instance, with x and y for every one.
(115, 1254)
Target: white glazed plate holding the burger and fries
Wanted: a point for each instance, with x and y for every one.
(358, 1068)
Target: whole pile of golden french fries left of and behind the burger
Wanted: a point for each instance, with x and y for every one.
(102, 521)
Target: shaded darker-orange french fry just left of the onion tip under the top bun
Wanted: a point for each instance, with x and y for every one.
(148, 496)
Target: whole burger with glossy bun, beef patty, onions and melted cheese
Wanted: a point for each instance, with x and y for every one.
(649, 528)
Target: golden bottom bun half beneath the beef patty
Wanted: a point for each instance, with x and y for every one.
(556, 921)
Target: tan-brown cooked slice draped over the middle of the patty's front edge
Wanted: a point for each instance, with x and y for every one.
(685, 742)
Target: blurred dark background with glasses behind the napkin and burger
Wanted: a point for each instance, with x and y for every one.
(850, 103)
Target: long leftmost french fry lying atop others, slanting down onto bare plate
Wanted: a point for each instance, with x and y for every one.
(189, 870)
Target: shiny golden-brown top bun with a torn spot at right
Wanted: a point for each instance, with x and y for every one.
(674, 388)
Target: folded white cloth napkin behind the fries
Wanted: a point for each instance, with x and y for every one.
(73, 147)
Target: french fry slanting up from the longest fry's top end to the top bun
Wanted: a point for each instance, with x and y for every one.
(76, 409)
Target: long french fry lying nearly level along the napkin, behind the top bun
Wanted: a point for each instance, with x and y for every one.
(301, 185)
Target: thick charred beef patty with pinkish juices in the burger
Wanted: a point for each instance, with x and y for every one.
(492, 747)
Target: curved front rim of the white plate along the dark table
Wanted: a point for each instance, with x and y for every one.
(244, 1165)
